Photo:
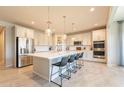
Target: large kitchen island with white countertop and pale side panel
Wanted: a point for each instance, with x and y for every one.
(42, 62)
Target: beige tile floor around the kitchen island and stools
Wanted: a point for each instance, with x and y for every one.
(91, 75)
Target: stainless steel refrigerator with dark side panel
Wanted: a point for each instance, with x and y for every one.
(24, 46)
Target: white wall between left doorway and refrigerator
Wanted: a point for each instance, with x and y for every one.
(9, 43)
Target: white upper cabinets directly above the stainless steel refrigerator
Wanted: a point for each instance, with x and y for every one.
(24, 32)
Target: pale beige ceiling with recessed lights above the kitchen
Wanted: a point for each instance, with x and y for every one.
(80, 15)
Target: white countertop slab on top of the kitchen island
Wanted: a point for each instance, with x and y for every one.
(53, 54)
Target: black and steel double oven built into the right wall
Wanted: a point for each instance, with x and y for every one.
(99, 49)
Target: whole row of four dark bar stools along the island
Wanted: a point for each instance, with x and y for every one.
(72, 65)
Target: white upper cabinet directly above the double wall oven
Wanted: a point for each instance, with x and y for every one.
(98, 35)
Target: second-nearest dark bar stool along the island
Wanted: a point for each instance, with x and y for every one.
(72, 67)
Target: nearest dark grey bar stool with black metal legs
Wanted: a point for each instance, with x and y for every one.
(61, 64)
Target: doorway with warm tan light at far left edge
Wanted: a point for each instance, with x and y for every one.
(2, 47)
